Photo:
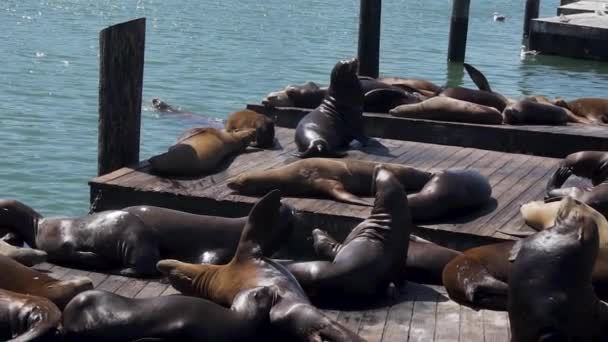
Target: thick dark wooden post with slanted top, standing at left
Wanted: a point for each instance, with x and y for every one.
(121, 70)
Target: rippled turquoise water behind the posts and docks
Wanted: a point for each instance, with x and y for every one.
(213, 57)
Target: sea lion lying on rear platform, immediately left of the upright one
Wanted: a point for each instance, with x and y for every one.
(307, 95)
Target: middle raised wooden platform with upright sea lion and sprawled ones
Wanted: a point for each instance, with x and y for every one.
(515, 179)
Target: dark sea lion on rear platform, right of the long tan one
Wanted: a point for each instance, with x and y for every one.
(534, 113)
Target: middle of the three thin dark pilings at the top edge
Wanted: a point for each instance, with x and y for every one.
(458, 30)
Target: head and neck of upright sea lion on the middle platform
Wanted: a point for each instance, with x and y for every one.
(344, 84)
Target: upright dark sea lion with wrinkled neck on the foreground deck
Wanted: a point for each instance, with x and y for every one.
(372, 255)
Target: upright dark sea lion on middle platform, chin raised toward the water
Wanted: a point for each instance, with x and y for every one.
(338, 120)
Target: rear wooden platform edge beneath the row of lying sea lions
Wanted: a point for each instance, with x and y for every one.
(549, 141)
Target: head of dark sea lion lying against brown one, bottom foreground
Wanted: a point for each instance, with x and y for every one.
(254, 303)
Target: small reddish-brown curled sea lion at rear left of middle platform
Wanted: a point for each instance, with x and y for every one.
(263, 125)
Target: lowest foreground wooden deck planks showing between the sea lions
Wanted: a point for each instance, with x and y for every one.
(415, 313)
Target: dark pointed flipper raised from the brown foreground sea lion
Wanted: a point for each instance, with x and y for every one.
(256, 237)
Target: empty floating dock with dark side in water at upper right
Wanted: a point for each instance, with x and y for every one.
(583, 35)
